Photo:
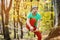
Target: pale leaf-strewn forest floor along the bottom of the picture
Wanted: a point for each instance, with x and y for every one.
(33, 38)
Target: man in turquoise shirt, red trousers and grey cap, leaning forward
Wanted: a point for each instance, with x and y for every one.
(32, 20)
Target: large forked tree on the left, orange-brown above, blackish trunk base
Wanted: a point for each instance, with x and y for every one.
(5, 24)
